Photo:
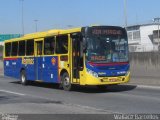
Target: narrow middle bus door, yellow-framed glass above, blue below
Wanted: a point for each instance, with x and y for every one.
(38, 58)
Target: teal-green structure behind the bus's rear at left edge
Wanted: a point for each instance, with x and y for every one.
(4, 37)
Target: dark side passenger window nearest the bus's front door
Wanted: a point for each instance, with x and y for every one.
(62, 44)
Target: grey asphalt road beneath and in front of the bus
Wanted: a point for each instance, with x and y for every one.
(38, 98)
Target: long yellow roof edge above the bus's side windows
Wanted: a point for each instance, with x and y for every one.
(46, 34)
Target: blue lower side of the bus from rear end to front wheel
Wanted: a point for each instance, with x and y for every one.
(43, 68)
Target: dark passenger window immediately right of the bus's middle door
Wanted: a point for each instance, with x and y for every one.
(49, 46)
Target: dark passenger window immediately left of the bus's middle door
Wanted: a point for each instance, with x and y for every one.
(30, 47)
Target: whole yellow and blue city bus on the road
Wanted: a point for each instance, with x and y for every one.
(95, 55)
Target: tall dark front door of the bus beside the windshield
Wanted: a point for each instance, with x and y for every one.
(77, 56)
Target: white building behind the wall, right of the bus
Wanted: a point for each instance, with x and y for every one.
(143, 38)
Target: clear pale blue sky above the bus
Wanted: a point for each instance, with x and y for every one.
(53, 14)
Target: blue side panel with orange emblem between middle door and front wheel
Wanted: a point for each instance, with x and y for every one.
(50, 69)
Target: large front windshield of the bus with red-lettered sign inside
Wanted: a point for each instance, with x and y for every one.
(107, 49)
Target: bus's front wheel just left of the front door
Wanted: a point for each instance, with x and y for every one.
(66, 83)
